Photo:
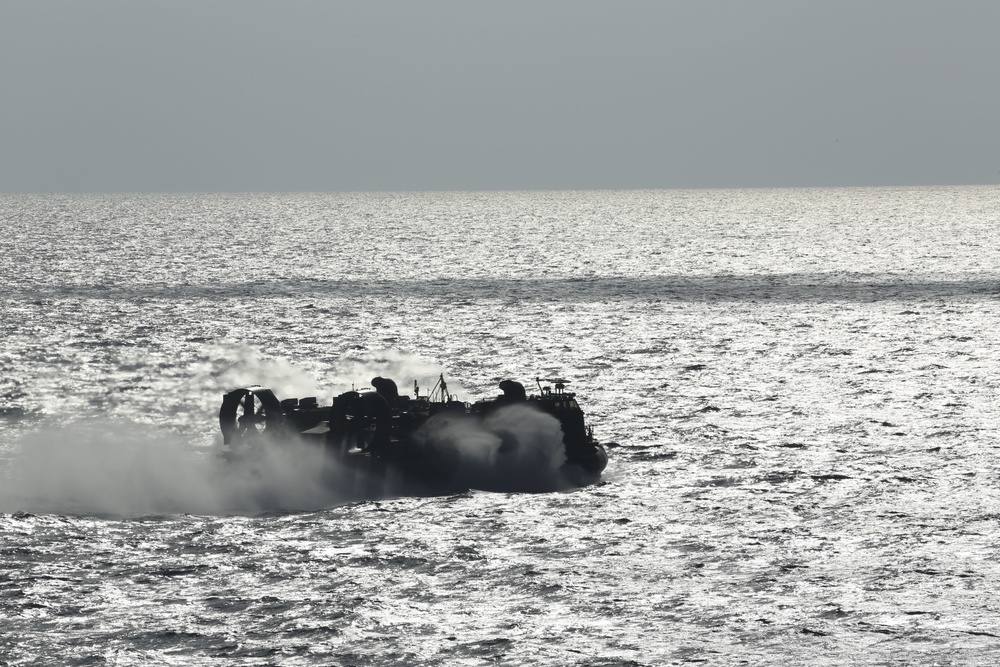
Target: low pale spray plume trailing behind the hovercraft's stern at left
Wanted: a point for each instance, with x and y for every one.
(124, 470)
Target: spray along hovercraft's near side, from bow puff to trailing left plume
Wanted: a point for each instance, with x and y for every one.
(115, 469)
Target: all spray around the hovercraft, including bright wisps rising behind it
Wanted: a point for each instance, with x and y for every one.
(126, 468)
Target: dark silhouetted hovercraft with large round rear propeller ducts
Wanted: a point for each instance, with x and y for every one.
(383, 432)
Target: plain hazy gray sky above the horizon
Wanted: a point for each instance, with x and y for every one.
(241, 95)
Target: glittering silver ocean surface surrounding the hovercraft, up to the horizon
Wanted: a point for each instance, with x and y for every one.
(799, 390)
